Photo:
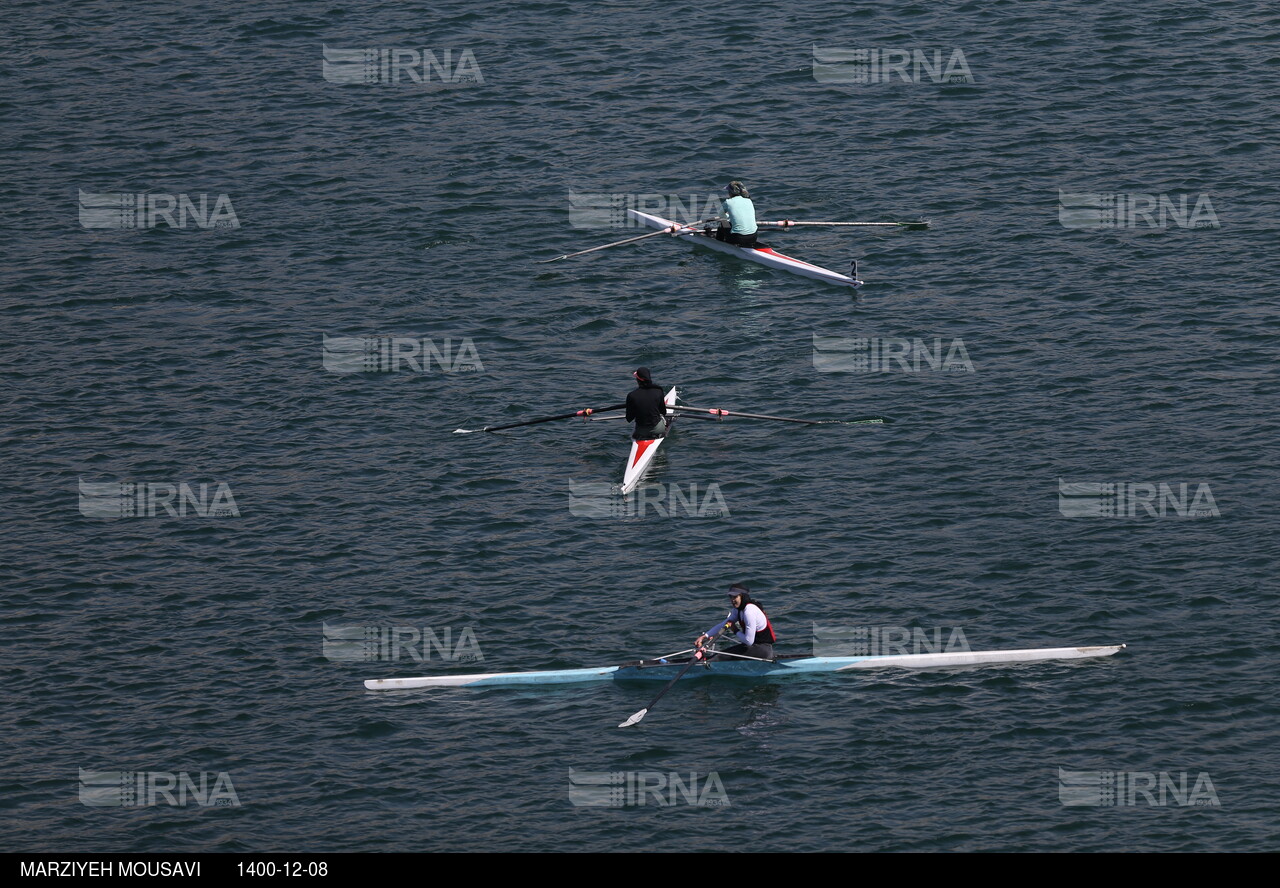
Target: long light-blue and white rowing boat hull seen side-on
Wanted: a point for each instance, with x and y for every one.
(659, 671)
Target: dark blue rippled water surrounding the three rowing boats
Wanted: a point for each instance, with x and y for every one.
(1127, 354)
